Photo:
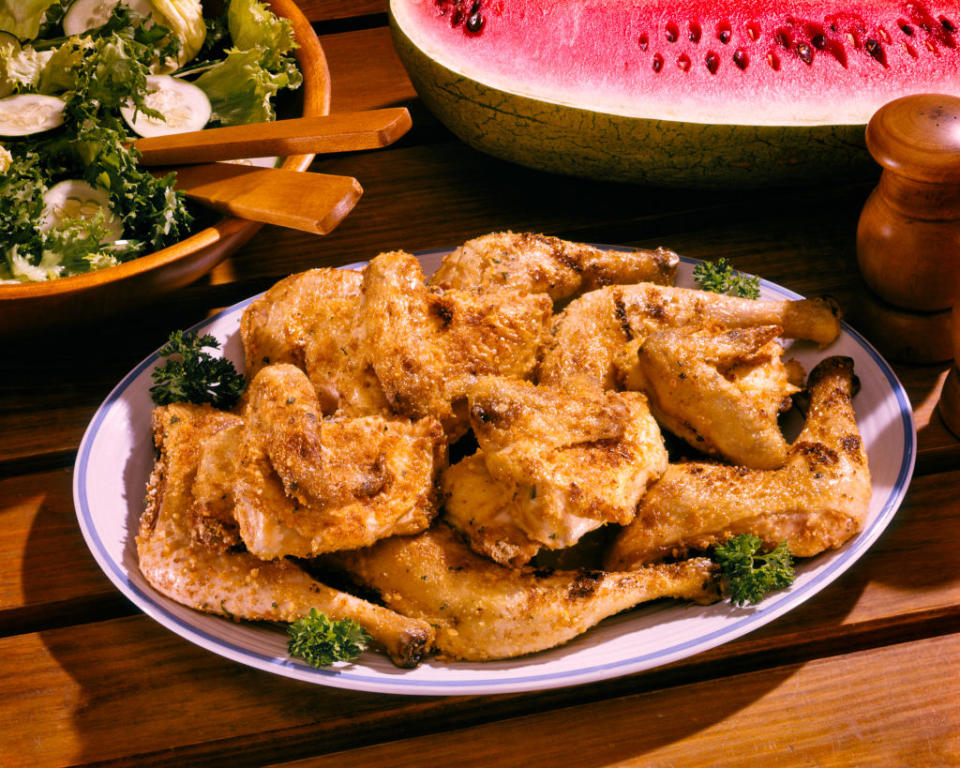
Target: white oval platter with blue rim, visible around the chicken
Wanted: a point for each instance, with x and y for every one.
(97, 511)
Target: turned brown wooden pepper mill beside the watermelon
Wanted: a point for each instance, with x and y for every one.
(908, 238)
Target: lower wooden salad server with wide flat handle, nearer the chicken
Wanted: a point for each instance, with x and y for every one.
(311, 202)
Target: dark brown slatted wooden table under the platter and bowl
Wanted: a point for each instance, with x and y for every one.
(867, 672)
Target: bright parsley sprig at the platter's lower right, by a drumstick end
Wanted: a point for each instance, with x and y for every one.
(749, 573)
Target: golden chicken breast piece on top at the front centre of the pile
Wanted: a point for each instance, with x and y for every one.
(573, 461)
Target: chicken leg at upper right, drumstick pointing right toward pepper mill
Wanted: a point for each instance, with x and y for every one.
(587, 335)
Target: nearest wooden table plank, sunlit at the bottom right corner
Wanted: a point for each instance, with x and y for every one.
(848, 710)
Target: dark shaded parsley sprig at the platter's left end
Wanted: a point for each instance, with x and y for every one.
(192, 375)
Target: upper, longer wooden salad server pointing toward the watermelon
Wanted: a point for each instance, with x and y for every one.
(339, 132)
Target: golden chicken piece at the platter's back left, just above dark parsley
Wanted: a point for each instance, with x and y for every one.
(275, 328)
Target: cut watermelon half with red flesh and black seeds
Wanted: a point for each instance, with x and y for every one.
(740, 94)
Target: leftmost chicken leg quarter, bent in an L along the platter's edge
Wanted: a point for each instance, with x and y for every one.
(232, 582)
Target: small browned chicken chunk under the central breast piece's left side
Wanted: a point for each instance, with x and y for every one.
(484, 510)
